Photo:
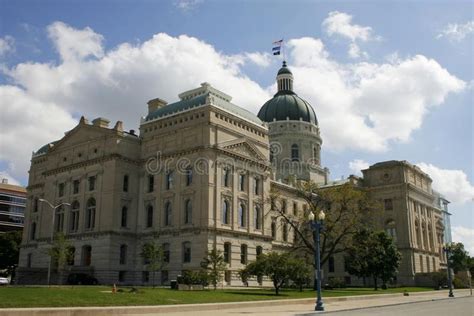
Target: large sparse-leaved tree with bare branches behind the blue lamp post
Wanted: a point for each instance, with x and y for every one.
(348, 210)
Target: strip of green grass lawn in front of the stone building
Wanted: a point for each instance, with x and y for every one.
(101, 296)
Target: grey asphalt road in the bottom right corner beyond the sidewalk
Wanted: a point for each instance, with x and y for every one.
(447, 307)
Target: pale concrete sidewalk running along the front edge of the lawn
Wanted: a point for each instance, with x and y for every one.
(261, 308)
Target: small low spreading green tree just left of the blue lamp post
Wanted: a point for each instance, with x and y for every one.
(277, 266)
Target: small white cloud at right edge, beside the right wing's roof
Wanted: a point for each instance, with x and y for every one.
(453, 184)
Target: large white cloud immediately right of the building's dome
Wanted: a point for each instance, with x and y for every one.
(368, 105)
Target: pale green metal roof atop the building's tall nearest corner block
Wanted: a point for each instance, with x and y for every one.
(201, 97)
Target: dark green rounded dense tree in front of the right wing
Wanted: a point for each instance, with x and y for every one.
(373, 254)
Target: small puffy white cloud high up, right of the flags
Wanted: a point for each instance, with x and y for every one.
(340, 24)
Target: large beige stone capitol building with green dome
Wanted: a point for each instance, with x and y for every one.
(198, 175)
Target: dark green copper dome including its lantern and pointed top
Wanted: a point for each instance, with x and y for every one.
(286, 104)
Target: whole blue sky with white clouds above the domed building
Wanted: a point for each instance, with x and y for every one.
(388, 81)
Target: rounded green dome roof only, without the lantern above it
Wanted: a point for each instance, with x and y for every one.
(287, 105)
